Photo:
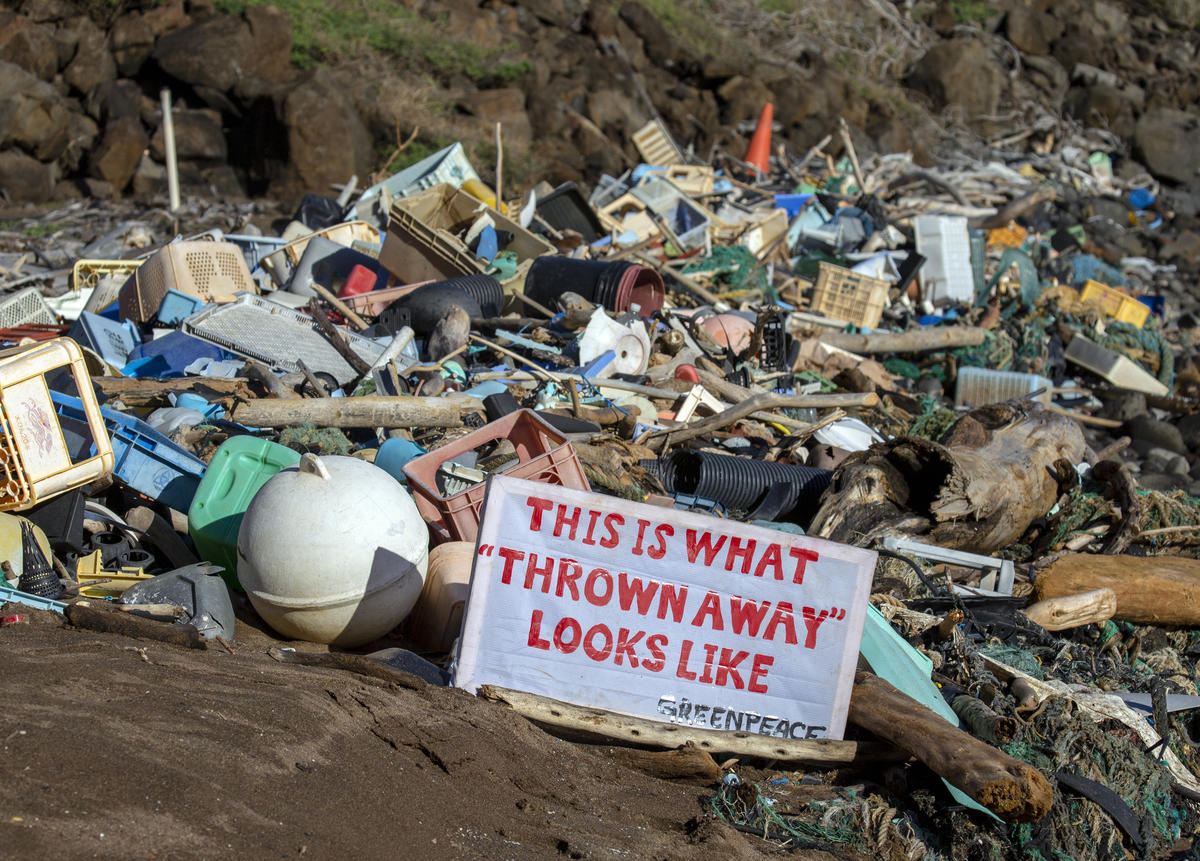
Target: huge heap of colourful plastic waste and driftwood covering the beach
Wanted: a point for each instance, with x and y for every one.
(980, 370)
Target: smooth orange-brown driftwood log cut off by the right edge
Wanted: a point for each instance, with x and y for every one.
(1150, 591)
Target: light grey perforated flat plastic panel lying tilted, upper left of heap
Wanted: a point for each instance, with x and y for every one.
(274, 334)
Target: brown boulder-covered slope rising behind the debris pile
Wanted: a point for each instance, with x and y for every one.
(283, 100)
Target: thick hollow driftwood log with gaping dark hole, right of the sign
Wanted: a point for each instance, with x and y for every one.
(997, 471)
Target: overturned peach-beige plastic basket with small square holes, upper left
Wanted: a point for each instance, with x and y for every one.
(214, 272)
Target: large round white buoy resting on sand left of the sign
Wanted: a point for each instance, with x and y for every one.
(333, 551)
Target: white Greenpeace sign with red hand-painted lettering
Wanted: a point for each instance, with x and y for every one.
(664, 615)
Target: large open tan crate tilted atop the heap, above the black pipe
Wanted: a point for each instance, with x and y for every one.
(449, 212)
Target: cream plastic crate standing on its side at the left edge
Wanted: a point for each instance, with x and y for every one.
(37, 461)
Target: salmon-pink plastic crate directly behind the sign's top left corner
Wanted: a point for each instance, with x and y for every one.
(544, 455)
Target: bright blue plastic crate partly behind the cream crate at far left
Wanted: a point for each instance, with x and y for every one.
(147, 461)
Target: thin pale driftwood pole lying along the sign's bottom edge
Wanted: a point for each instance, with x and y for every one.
(601, 725)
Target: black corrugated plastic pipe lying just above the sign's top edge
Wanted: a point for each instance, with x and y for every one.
(742, 483)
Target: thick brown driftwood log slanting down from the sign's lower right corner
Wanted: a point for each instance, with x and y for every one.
(1013, 791)
